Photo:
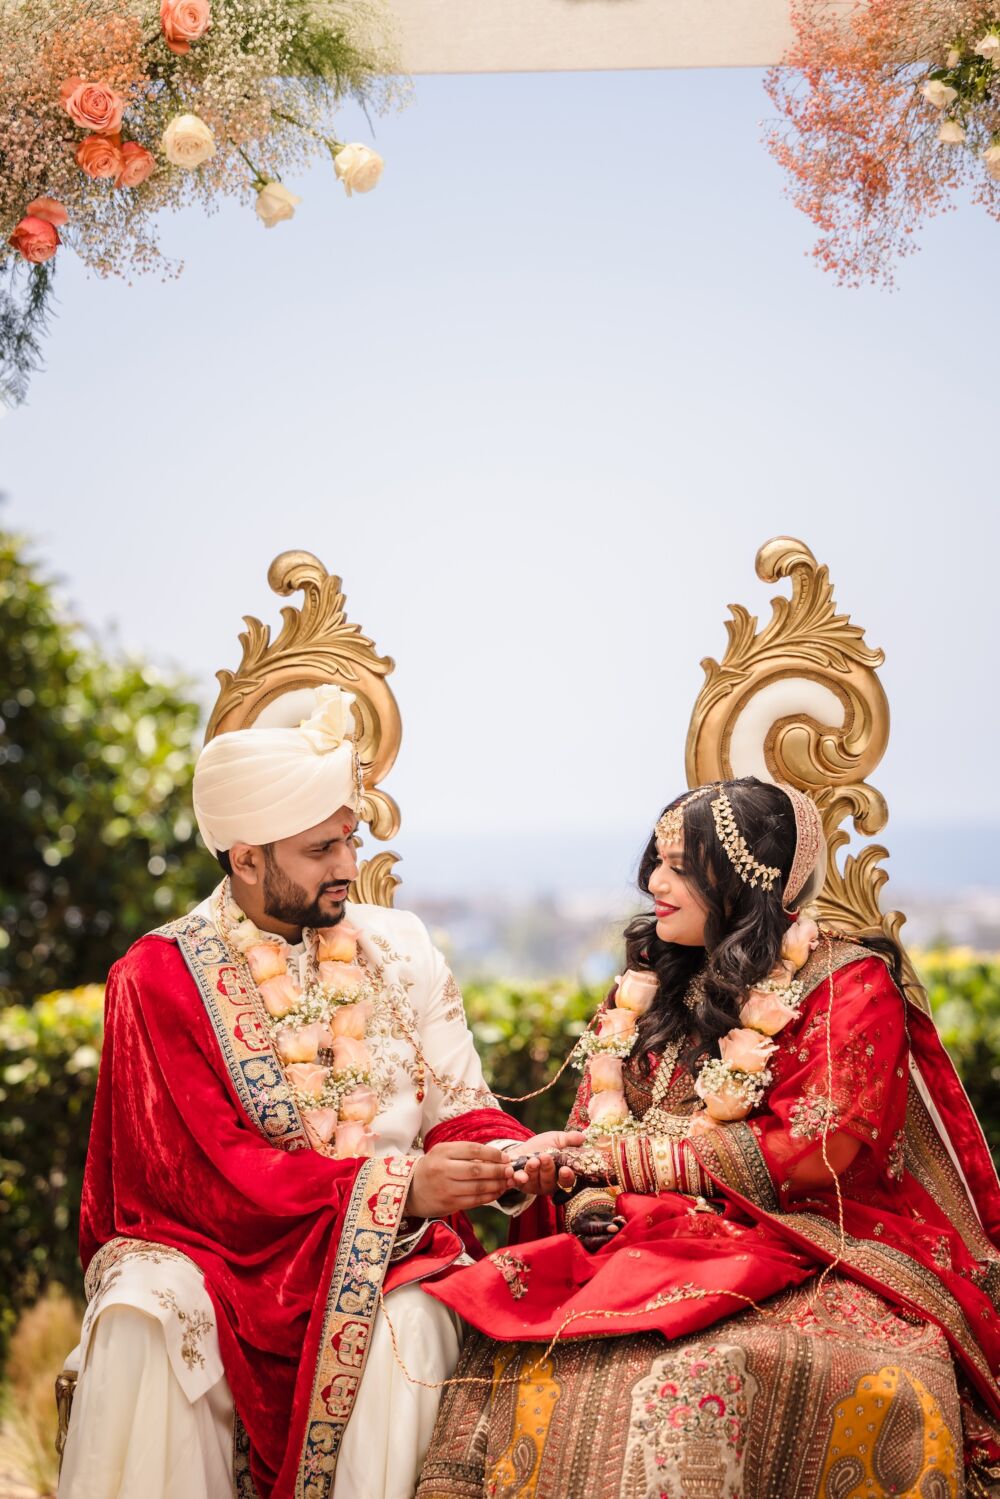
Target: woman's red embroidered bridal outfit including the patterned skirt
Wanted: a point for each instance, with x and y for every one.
(807, 1342)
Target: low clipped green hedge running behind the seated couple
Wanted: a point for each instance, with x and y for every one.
(49, 1068)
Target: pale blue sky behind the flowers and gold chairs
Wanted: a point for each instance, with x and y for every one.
(539, 399)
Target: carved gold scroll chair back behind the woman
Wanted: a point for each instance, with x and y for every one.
(801, 702)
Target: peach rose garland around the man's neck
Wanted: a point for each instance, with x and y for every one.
(319, 1031)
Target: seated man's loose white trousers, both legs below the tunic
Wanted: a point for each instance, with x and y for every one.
(136, 1435)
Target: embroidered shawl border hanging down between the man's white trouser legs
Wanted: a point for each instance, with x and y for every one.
(364, 1255)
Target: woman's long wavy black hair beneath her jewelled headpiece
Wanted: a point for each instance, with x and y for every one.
(743, 929)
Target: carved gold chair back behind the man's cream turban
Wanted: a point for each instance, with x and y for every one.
(316, 645)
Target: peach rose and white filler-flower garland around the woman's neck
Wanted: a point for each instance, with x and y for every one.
(729, 1086)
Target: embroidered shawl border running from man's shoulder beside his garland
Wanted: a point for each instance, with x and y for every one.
(247, 1050)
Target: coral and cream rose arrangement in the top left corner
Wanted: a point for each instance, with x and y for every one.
(118, 109)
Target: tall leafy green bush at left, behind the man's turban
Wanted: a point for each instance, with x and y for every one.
(95, 794)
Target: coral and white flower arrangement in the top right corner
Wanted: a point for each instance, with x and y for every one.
(887, 110)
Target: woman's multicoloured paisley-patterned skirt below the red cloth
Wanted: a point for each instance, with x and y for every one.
(825, 1393)
